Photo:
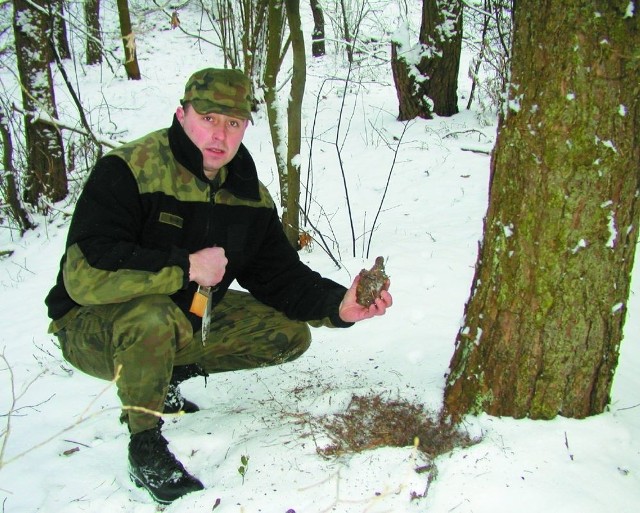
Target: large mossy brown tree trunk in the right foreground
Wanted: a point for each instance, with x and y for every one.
(544, 321)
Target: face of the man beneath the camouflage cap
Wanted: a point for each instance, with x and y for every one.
(217, 136)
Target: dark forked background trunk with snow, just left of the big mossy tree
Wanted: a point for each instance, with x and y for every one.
(430, 86)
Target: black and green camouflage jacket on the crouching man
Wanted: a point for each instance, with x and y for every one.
(147, 205)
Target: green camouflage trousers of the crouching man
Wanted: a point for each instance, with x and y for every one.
(139, 342)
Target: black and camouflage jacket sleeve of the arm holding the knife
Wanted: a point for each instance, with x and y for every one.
(104, 262)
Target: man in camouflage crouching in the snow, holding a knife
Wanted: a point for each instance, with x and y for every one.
(162, 228)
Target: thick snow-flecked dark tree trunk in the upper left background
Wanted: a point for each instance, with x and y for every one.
(46, 174)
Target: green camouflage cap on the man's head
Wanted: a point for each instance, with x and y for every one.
(223, 91)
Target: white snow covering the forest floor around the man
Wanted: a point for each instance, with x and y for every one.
(66, 451)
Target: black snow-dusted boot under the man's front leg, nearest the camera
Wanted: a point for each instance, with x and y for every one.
(153, 467)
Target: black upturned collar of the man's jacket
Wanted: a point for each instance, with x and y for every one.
(242, 179)
